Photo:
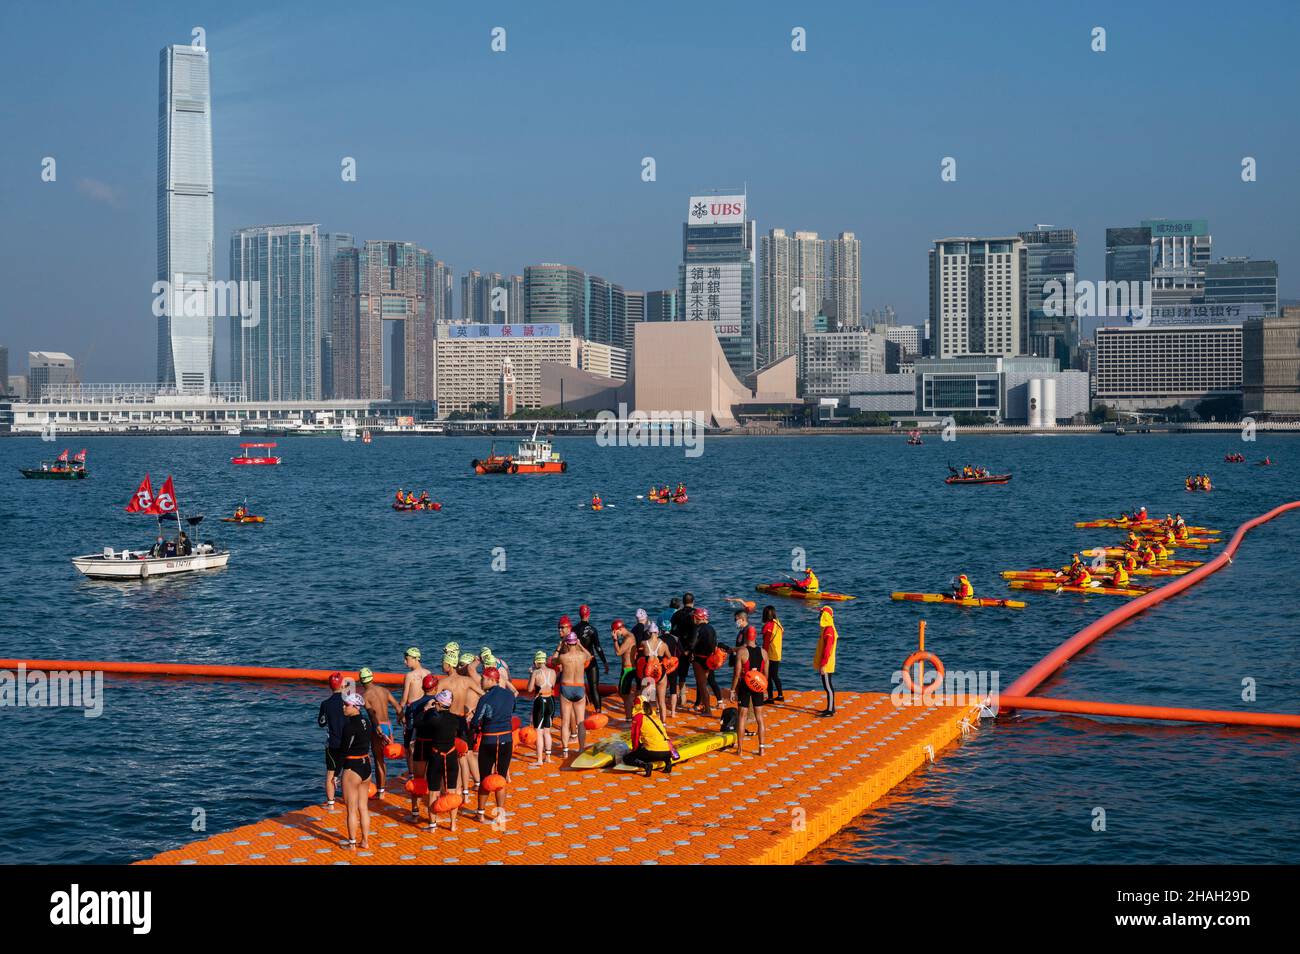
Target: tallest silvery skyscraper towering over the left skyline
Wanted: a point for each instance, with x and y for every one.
(185, 250)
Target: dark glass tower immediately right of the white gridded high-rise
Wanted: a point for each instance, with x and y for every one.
(1051, 255)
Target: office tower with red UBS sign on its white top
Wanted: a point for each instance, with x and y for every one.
(716, 280)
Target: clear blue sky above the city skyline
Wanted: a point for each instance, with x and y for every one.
(500, 161)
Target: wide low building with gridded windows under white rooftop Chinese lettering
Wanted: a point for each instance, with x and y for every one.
(1158, 367)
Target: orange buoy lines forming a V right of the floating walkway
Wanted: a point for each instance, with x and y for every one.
(1019, 693)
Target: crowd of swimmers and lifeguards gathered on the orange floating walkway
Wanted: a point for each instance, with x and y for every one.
(460, 731)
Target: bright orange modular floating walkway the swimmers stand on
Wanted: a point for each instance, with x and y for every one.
(718, 809)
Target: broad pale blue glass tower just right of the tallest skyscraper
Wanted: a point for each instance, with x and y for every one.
(276, 355)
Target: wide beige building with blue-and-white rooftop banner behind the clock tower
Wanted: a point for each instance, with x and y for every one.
(470, 359)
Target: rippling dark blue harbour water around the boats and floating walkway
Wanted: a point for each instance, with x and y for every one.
(337, 579)
